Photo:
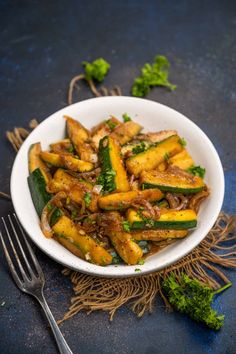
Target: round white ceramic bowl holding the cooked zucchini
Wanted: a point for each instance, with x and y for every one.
(153, 116)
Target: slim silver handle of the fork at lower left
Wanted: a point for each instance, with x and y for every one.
(62, 345)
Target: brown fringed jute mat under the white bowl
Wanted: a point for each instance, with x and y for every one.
(206, 262)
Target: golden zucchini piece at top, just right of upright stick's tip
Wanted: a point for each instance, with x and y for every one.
(126, 131)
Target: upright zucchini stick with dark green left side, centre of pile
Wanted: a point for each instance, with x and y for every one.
(113, 175)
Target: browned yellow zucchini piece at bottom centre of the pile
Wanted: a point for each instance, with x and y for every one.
(127, 249)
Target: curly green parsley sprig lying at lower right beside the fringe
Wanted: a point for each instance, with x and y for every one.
(191, 297)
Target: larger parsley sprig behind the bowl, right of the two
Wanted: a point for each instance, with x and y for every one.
(155, 74)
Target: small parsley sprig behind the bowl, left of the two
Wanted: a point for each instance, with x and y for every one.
(96, 70)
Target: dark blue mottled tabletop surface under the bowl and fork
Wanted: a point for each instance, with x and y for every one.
(42, 47)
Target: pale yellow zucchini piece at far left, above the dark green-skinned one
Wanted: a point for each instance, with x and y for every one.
(35, 161)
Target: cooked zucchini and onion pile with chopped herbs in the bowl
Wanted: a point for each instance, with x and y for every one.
(114, 194)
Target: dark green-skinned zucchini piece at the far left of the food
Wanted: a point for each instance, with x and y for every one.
(39, 194)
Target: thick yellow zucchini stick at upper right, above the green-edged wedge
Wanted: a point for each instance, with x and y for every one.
(151, 158)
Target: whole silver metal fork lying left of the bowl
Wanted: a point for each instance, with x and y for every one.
(33, 282)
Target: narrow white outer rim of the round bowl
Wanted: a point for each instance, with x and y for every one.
(115, 270)
